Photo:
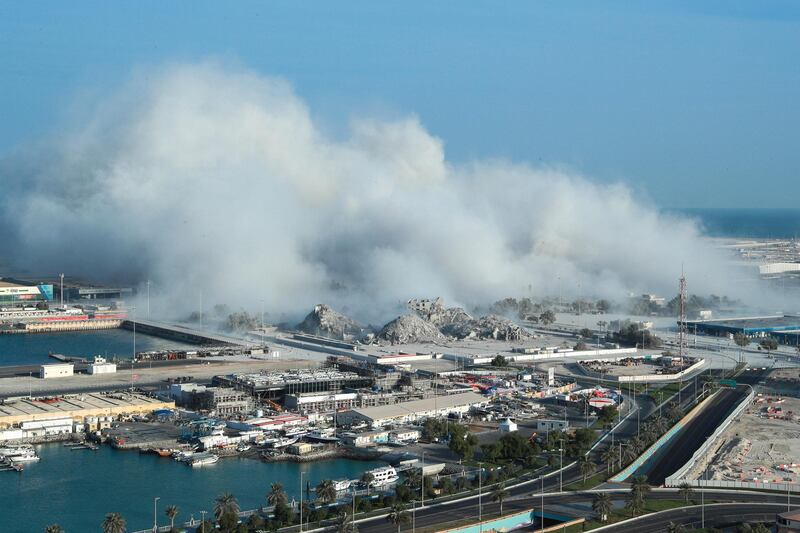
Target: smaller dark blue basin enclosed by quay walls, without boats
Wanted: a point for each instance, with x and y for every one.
(33, 348)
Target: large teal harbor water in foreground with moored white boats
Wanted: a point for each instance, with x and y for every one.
(76, 488)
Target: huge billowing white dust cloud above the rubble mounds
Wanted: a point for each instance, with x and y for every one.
(207, 177)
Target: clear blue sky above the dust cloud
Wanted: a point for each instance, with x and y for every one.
(691, 103)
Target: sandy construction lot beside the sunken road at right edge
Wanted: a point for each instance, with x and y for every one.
(763, 444)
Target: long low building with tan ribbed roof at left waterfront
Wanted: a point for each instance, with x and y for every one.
(78, 407)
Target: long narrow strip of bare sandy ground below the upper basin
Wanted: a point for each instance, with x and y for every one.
(144, 376)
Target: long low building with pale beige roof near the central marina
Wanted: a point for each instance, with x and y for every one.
(407, 412)
